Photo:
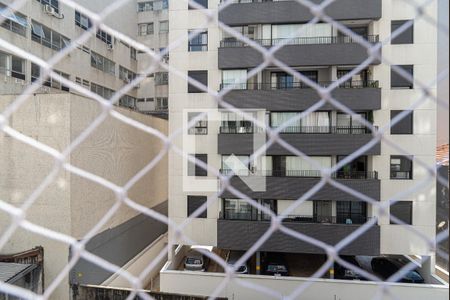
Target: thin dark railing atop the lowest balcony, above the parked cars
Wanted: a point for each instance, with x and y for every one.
(254, 215)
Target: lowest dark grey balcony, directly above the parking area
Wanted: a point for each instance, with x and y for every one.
(243, 234)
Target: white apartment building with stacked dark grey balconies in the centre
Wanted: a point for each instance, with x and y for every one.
(328, 135)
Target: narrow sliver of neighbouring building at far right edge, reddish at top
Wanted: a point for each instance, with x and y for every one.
(442, 202)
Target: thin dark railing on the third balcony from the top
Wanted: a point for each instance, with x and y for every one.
(353, 84)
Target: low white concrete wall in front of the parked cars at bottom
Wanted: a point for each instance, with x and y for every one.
(204, 284)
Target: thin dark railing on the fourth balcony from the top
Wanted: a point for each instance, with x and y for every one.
(301, 130)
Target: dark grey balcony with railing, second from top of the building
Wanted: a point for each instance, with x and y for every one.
(302, 51)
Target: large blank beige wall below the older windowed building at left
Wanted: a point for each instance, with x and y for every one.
(72, 205)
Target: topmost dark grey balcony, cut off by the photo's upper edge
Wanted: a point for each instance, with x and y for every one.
(283, 12)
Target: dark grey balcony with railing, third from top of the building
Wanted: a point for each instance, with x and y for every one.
(357, 95)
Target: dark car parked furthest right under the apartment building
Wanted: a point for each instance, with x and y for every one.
(386, 267)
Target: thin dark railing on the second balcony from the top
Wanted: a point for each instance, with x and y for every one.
(319, 40)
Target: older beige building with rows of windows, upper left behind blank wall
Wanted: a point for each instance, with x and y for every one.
(103, 64)
